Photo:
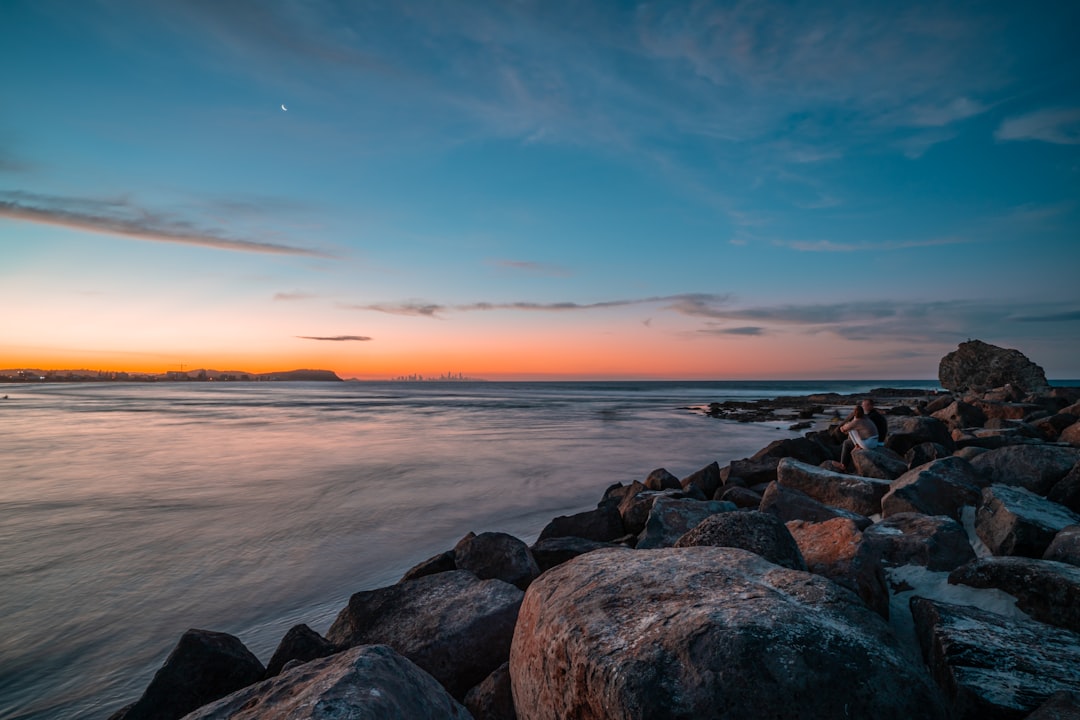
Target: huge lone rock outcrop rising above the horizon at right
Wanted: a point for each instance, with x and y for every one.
(979, 366)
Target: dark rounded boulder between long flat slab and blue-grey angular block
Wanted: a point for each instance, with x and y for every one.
(942, 487)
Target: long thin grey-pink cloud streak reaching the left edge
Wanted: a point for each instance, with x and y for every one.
(124, 219)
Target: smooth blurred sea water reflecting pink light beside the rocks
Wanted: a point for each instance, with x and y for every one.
(130, 513)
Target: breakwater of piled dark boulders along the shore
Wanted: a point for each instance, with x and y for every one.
(941, 579)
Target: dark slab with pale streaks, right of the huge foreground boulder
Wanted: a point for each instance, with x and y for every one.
(992, 667)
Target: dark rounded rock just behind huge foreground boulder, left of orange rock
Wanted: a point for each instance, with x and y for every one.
(761, 534)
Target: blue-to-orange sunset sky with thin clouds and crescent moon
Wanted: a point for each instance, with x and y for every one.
(538, 191)
